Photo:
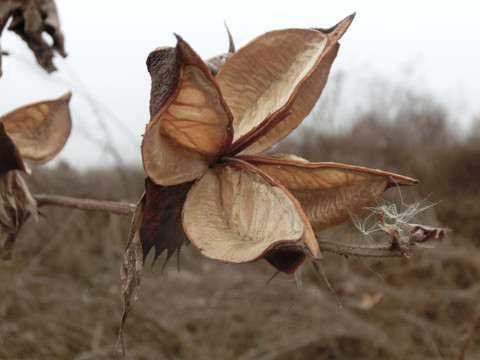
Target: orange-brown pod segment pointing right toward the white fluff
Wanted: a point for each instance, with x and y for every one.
(328, 192)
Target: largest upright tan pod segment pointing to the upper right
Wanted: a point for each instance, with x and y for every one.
(278, 76)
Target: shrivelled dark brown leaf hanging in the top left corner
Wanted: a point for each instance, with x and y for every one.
(30, 19)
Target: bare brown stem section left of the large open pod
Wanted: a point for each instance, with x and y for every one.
(112, 207)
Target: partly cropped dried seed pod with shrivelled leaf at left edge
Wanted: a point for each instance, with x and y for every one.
(35, 133)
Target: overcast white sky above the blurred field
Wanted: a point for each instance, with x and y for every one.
(432, 46)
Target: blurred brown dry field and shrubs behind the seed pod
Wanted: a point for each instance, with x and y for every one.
(60, 297)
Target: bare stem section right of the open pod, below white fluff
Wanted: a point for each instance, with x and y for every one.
(372, 251)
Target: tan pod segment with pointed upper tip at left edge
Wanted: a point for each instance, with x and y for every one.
(40, 130)
